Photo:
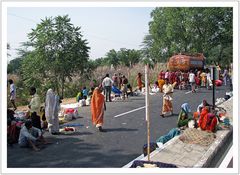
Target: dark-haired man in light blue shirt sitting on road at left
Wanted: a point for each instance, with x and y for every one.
(29, 136)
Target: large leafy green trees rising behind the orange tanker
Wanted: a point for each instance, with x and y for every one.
(195, 29)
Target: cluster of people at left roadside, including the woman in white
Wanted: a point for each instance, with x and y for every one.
(29, 131)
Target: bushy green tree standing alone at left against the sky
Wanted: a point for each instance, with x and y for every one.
(58, 53)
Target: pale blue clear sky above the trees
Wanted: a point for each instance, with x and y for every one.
(104, 28)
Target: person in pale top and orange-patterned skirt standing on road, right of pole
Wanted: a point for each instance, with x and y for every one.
(167, 98)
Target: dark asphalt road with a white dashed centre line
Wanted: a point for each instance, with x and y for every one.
(122, 142)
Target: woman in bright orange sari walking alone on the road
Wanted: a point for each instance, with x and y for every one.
(97, 108)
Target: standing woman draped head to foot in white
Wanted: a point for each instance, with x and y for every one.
(52, 107)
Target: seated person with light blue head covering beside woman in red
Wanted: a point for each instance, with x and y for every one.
(184, 115)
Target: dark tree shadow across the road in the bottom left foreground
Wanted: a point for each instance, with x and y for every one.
(66, 153)
